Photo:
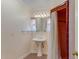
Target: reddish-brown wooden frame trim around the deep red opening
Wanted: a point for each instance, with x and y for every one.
(60, 7)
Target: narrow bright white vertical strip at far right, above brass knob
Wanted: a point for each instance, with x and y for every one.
(76, 25)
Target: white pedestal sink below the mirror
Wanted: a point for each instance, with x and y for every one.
(39, 42)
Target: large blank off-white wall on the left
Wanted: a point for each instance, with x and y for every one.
(14, 43)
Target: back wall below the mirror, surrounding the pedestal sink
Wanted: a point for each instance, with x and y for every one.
(45, 46)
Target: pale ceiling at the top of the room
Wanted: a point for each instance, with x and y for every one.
(43, 4)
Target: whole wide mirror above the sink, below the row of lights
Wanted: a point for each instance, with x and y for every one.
(41, 24)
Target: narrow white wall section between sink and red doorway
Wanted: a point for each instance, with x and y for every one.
(53, 41)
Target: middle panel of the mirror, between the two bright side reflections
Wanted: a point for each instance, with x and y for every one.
(41, 24)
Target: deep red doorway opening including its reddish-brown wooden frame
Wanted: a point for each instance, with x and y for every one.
(62, 12)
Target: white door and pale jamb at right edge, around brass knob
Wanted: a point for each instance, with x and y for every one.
(73, 36)
